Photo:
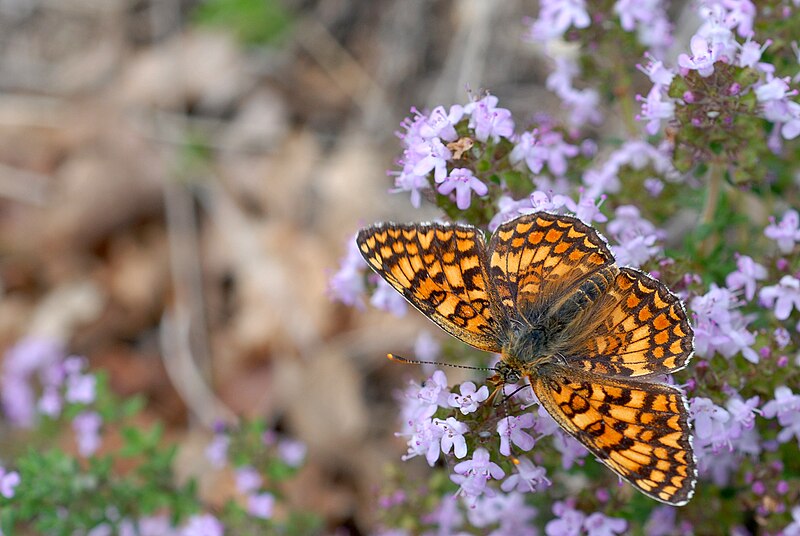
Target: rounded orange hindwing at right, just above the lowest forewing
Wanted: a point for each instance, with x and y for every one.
(638, 327)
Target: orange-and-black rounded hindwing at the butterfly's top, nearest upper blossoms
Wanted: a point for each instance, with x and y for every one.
(538, 260)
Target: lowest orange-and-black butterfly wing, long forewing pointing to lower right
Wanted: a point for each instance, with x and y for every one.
(638, 429)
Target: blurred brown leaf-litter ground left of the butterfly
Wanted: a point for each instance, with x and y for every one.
(179, 179)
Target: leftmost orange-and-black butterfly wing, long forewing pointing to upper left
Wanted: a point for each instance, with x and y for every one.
(440, 269)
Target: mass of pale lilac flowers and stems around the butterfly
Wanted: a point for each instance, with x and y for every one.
(723, 110)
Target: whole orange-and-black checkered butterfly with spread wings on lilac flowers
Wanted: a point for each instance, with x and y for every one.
(590, 337)
